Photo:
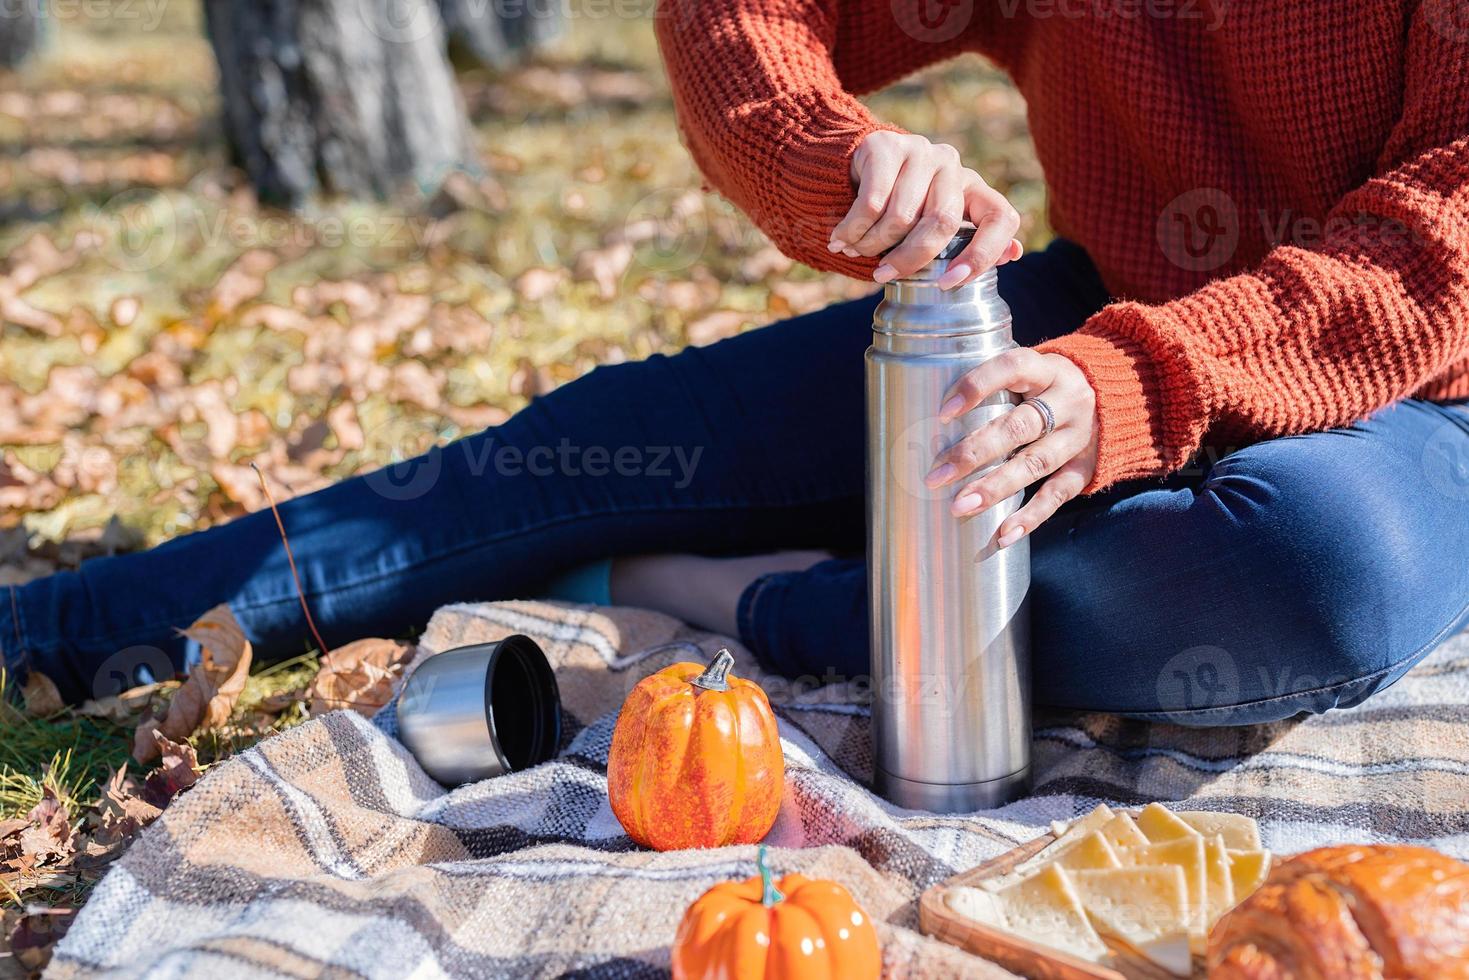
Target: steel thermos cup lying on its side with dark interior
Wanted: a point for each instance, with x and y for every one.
(478, 712)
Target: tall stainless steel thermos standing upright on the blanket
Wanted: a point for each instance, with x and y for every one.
(950, 615)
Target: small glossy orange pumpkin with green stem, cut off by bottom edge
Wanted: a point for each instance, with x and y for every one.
(763, 931)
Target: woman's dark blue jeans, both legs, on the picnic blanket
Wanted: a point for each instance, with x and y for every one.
(1286, 577)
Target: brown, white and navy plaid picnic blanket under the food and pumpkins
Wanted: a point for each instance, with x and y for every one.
(328, 851)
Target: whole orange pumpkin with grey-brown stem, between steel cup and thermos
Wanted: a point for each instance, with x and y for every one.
(696, 760)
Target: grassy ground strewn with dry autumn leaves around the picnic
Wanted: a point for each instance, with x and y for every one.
(162, 328)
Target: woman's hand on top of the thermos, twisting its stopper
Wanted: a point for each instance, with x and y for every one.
(914, 192)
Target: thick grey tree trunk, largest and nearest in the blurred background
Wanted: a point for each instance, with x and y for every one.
(350, 98)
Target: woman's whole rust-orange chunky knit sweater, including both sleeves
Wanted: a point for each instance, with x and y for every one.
(1277, 189)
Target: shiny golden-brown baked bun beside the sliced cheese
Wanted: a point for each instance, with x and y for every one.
(1348, 913)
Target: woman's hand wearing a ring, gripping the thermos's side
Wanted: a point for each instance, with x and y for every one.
(1069, 456)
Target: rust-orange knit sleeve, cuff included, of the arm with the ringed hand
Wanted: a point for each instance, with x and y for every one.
(1311, 339)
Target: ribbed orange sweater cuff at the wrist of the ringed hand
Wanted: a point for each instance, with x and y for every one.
(1130, 443)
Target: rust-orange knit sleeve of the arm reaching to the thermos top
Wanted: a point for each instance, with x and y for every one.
(766, 115)
